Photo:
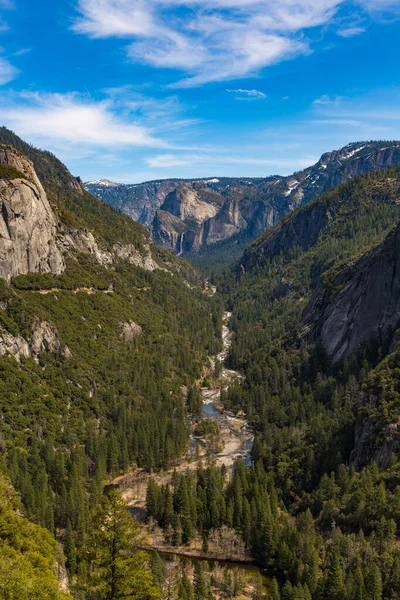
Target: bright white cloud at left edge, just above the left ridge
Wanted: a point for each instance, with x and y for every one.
(56, 120)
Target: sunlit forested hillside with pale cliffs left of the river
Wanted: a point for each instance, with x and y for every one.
(101, 332)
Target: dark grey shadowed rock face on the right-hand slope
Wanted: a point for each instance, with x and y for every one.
(358, 306)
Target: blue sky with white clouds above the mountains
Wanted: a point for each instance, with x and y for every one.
(145, 89)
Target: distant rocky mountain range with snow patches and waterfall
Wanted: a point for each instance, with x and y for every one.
(234, 208)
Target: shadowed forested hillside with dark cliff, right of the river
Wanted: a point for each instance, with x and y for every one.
(315, 313)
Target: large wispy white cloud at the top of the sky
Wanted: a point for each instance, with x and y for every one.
(210, 40)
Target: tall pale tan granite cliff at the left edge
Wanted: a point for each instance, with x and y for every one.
(27, 222)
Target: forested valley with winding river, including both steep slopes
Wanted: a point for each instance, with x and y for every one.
(249, 421)
